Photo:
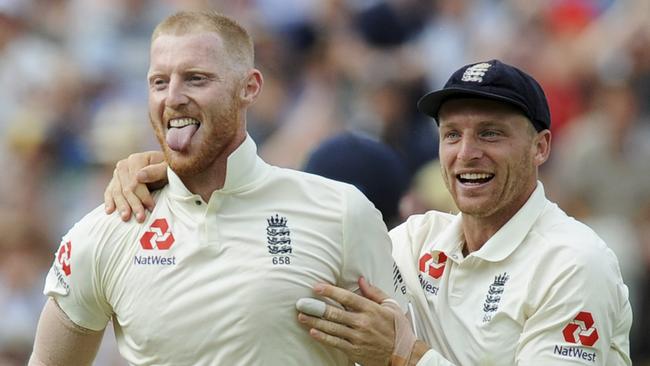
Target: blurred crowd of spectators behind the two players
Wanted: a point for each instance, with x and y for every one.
(73, 102)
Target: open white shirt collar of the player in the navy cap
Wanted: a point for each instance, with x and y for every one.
(504, 241)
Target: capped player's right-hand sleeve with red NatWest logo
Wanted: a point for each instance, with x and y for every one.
(584, 318)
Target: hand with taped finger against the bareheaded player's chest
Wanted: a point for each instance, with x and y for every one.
(364, 330)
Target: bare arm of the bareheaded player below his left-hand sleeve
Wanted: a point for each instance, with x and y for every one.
(59, 341)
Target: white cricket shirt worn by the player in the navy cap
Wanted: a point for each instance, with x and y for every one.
(544, 290)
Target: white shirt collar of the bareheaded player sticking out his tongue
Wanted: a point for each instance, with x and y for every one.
(243, 169)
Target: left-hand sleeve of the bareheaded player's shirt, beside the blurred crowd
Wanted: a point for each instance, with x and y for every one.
(73, 279)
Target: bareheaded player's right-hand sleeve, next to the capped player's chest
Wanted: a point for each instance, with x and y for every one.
(367, 249)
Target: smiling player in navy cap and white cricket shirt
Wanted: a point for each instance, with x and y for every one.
(511, 279)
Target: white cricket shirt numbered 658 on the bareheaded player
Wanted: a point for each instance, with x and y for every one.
(216, 283)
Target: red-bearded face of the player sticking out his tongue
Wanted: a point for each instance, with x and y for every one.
(194, 100)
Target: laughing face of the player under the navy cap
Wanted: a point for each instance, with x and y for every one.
(489, 154)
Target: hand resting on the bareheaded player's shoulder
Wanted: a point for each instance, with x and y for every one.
(133, 177)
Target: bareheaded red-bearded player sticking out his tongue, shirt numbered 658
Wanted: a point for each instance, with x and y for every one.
(212, 276)
